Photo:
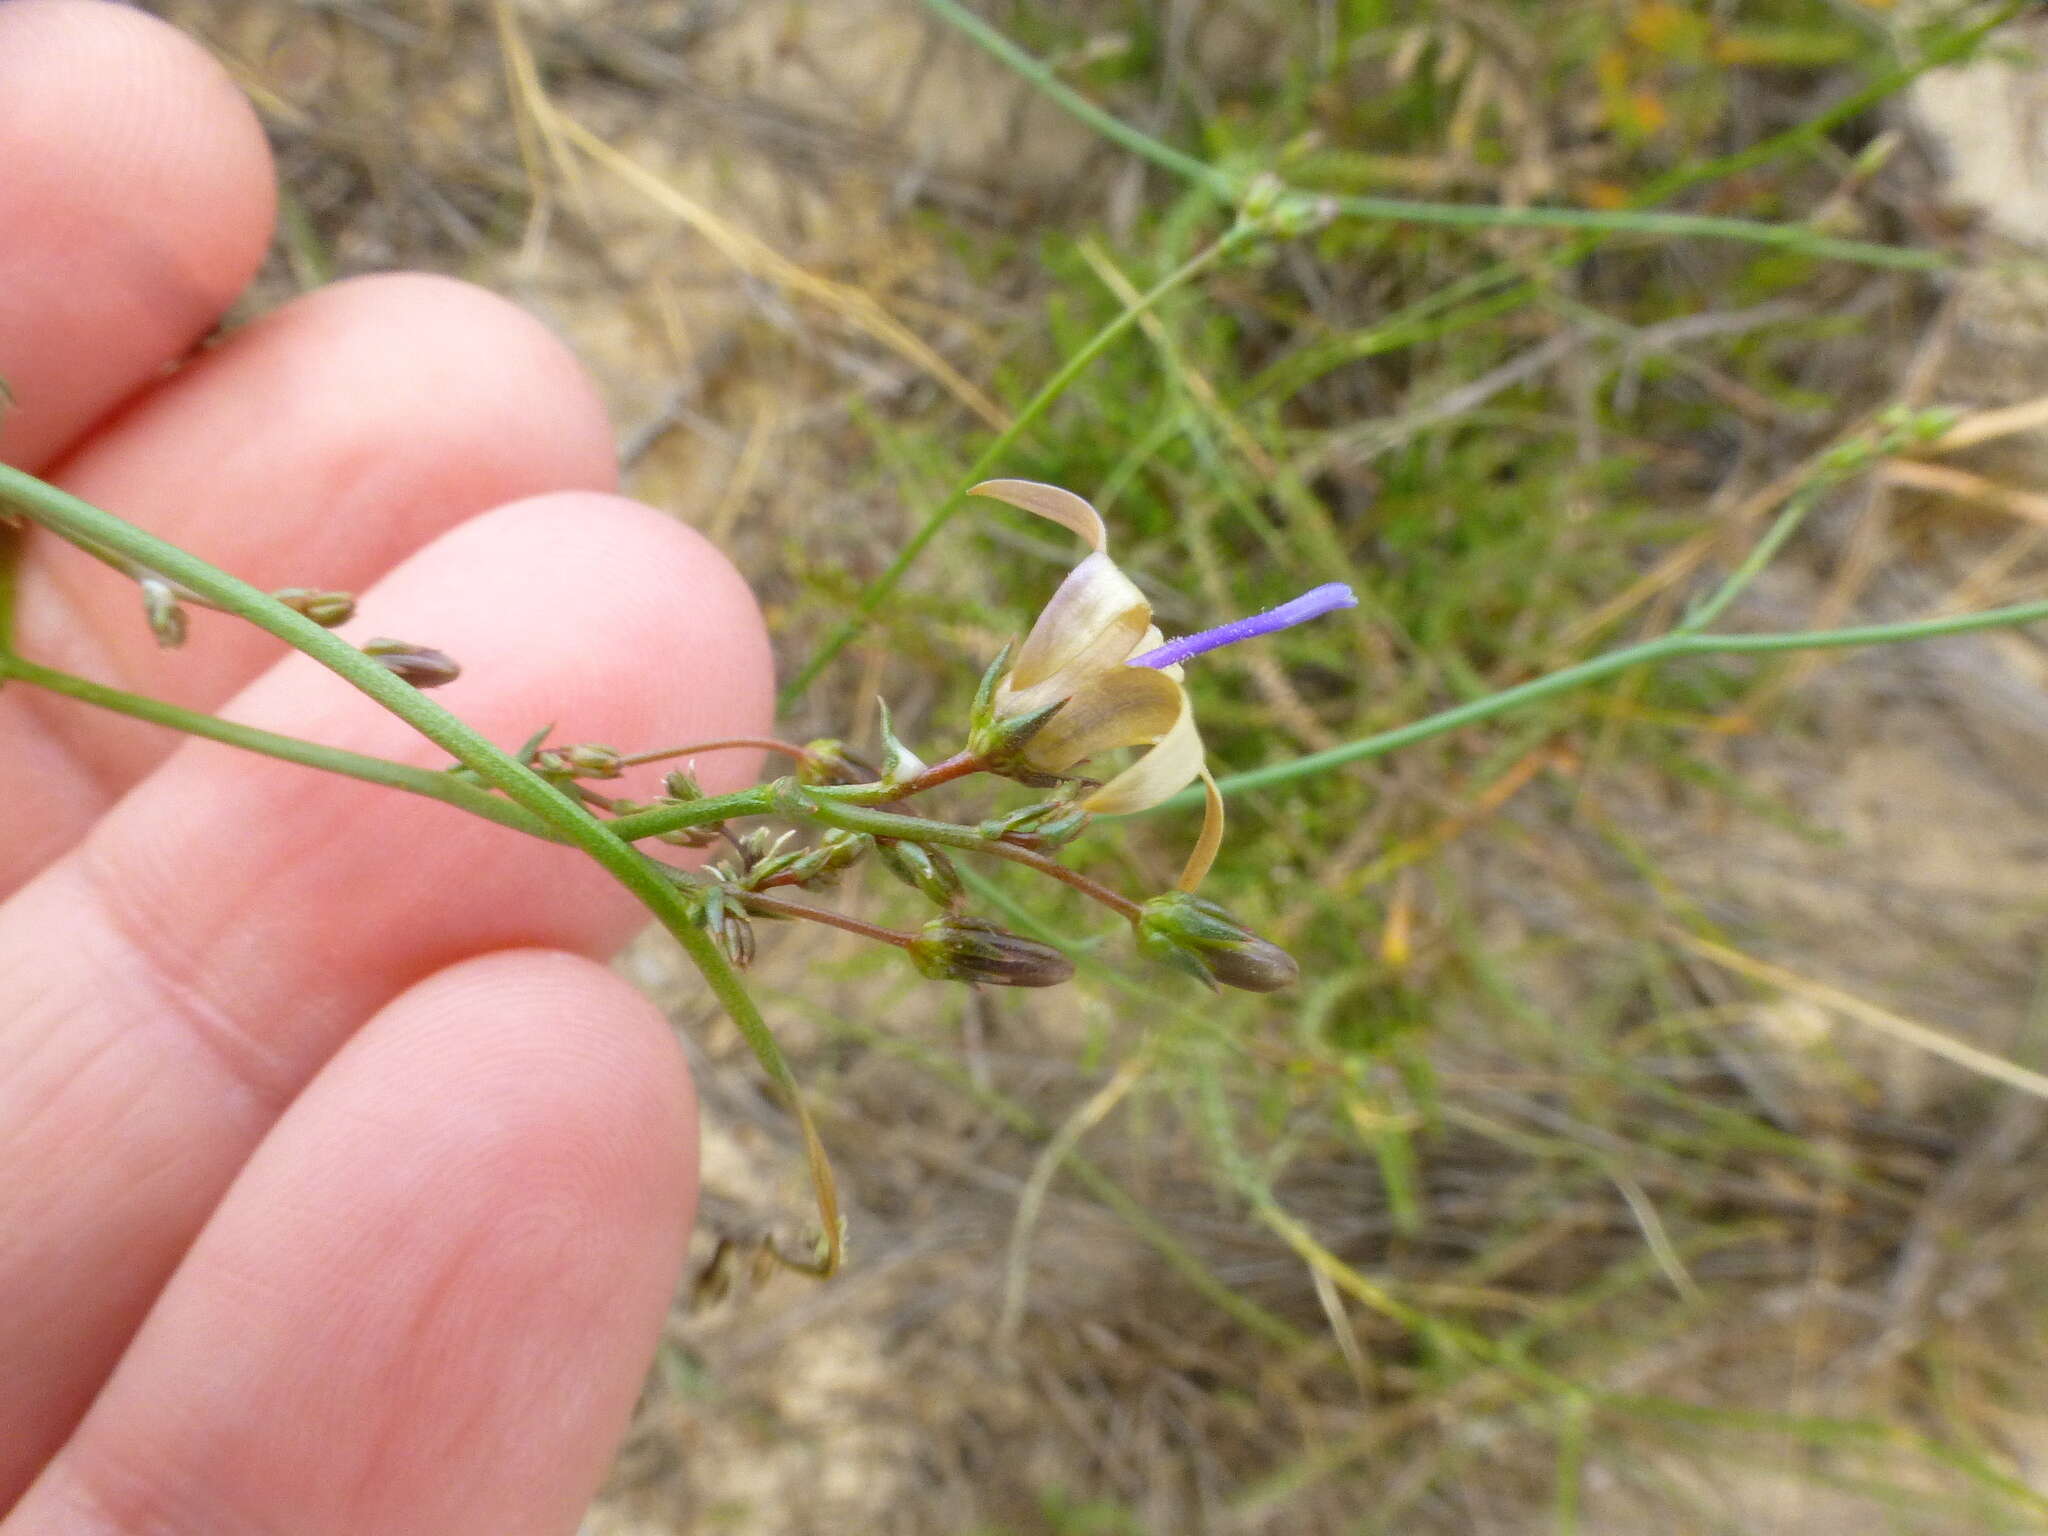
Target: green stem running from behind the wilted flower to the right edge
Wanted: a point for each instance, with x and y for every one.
(1609, 665)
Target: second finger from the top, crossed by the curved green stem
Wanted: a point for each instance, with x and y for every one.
(318, 447)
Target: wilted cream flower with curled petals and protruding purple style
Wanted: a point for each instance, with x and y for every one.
(1097, 654)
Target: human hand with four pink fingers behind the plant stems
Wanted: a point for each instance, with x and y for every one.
(341, 1187)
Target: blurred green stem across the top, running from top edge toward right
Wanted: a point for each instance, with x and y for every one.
(1230, 187)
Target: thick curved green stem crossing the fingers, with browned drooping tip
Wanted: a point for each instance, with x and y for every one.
(468, 746)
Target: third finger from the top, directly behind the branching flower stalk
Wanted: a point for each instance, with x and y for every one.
(232, 921)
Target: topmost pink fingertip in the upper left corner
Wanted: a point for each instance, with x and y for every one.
(136, 204)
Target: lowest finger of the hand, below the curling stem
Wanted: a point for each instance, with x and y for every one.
(431, 1297)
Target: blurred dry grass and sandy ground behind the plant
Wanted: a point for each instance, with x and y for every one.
(1570, 1195)
